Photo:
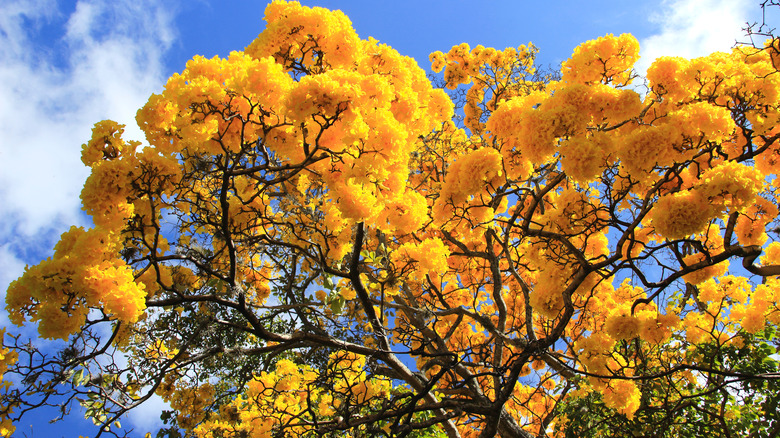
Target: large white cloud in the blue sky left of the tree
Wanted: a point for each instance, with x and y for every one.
(110, 64)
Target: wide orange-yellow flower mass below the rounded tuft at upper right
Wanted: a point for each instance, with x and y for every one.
(537, 126)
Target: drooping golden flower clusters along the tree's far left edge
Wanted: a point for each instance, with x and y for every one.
(86, 271)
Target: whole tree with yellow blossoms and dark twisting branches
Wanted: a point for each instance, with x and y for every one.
(313, 243)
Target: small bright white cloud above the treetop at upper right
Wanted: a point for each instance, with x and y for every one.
(692, 28)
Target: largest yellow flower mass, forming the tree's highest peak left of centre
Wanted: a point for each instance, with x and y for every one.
(318, 89)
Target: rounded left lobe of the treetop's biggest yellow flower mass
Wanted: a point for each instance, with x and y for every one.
(178, 119)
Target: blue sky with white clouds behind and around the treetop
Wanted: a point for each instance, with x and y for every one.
(65, 65)
